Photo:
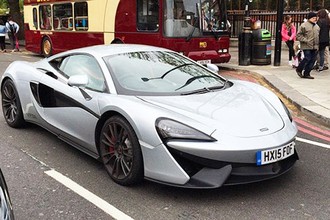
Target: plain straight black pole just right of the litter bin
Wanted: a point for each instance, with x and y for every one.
(278, 39)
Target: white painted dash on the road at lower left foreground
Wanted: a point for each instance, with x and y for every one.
(89, 196)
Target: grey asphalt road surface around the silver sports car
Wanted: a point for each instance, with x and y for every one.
(28, 154)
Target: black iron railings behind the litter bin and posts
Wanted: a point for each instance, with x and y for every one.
(268, 20)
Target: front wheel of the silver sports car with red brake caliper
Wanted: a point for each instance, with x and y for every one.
(120, 152)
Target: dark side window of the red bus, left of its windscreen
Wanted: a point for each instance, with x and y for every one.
(147, 15)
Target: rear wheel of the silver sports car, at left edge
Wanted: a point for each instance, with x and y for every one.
(11, 105)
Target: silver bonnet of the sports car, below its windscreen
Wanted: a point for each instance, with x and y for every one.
(237, 111)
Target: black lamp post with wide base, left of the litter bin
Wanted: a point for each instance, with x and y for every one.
(245, 38)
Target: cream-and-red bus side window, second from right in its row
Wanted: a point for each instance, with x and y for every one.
(62, 16)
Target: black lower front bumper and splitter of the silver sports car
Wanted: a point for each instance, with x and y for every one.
(208, 174)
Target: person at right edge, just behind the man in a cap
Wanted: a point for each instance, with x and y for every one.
(323, 22)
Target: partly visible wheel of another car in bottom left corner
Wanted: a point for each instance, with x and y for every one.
(6, 210)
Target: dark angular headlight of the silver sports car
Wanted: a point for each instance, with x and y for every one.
(168, 129)
